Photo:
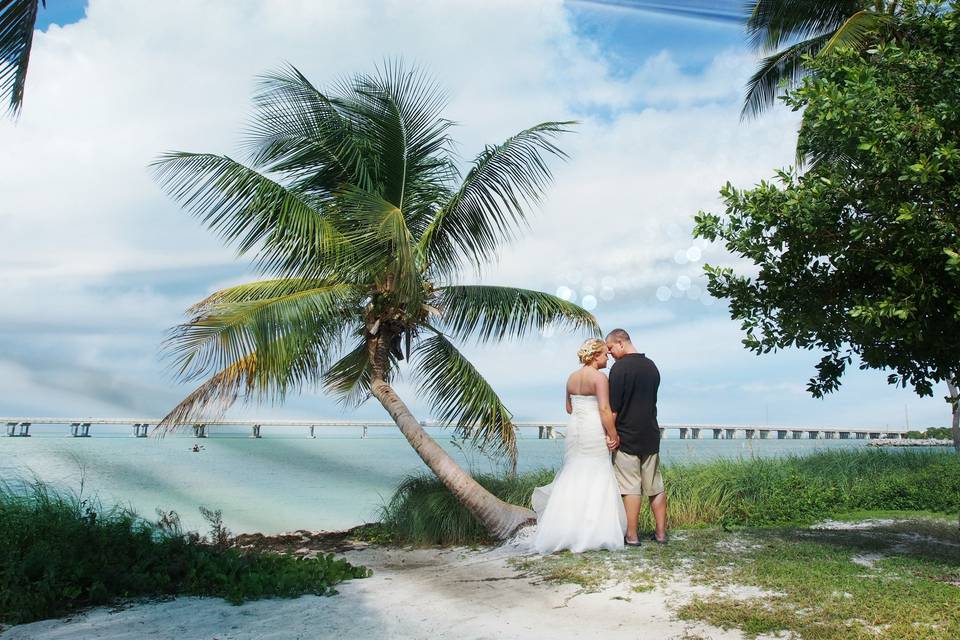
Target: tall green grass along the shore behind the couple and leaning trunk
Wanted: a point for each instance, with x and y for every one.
(749, 492)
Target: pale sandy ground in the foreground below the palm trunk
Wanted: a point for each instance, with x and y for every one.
(438, 594)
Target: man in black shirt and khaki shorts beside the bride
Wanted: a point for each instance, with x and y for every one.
(634, 381)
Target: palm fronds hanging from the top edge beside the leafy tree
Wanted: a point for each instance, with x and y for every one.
(814, 27)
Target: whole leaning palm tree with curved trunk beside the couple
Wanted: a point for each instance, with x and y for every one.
(354, 208)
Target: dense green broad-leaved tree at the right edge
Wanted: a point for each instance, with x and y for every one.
(860, 256)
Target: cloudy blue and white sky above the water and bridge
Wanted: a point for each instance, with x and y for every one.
(96, 263)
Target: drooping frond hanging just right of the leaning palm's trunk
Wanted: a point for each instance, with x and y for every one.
(462, 397)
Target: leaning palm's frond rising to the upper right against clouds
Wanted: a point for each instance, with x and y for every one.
(489, 206)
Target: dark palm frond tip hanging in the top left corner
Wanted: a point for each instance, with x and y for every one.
(17, 21)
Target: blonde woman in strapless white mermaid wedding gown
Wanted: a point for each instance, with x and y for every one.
(582, 509)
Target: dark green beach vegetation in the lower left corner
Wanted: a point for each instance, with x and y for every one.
(62, 552)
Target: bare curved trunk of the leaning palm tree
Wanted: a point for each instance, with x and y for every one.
(500, 518)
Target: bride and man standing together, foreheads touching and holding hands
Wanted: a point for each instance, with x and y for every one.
(611, 456)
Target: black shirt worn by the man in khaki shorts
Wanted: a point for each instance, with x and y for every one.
(634, 381)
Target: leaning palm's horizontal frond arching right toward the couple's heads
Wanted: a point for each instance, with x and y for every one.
(494, 313)
